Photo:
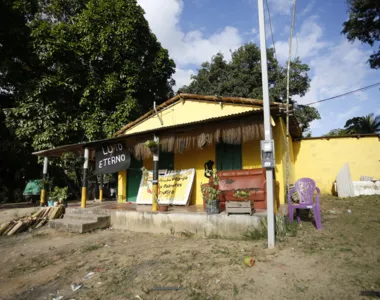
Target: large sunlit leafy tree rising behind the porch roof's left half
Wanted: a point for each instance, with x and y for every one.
(99, 66)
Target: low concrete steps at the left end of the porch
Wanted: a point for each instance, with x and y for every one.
(80, 223)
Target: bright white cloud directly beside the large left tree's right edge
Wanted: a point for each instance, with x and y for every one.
(186, 47)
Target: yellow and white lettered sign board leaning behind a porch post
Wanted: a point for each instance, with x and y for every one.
(173, 188)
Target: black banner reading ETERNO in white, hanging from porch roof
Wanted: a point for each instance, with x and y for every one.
(112, 158)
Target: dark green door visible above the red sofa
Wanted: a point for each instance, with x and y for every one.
(228, 157)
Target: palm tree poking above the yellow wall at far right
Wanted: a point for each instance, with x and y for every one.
(363, 125)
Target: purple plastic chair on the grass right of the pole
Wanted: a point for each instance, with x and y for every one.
(305, 188)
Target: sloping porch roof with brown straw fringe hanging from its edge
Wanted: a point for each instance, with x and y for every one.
(232, 129)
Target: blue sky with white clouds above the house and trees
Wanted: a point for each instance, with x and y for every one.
(195, 30)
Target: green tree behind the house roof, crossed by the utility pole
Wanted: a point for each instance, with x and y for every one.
(242, 78)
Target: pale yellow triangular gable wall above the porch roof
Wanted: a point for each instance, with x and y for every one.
(189, 111)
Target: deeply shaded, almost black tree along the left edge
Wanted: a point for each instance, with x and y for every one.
(16, 64)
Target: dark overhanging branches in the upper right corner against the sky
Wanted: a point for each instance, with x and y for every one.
(364, 24)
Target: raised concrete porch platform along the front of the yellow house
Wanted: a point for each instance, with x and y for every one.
(180, 220)
